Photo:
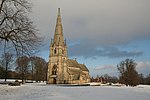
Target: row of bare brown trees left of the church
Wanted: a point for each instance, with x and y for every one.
(26, 68)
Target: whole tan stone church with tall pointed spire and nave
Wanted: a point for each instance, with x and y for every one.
(61, 69)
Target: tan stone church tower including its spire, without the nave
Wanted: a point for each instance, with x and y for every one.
(58, 55)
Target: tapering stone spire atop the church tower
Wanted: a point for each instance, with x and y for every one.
(58, 35)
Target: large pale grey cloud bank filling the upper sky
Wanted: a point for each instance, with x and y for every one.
(107, 22)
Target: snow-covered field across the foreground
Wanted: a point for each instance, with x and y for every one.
(34, 91)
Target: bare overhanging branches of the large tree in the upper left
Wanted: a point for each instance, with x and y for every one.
(15, 26)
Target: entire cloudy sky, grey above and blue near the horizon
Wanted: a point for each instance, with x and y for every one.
(99, 33)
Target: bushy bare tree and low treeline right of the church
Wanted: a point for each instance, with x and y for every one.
(127, 75)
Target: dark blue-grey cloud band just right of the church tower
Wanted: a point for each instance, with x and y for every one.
(88, 50)
